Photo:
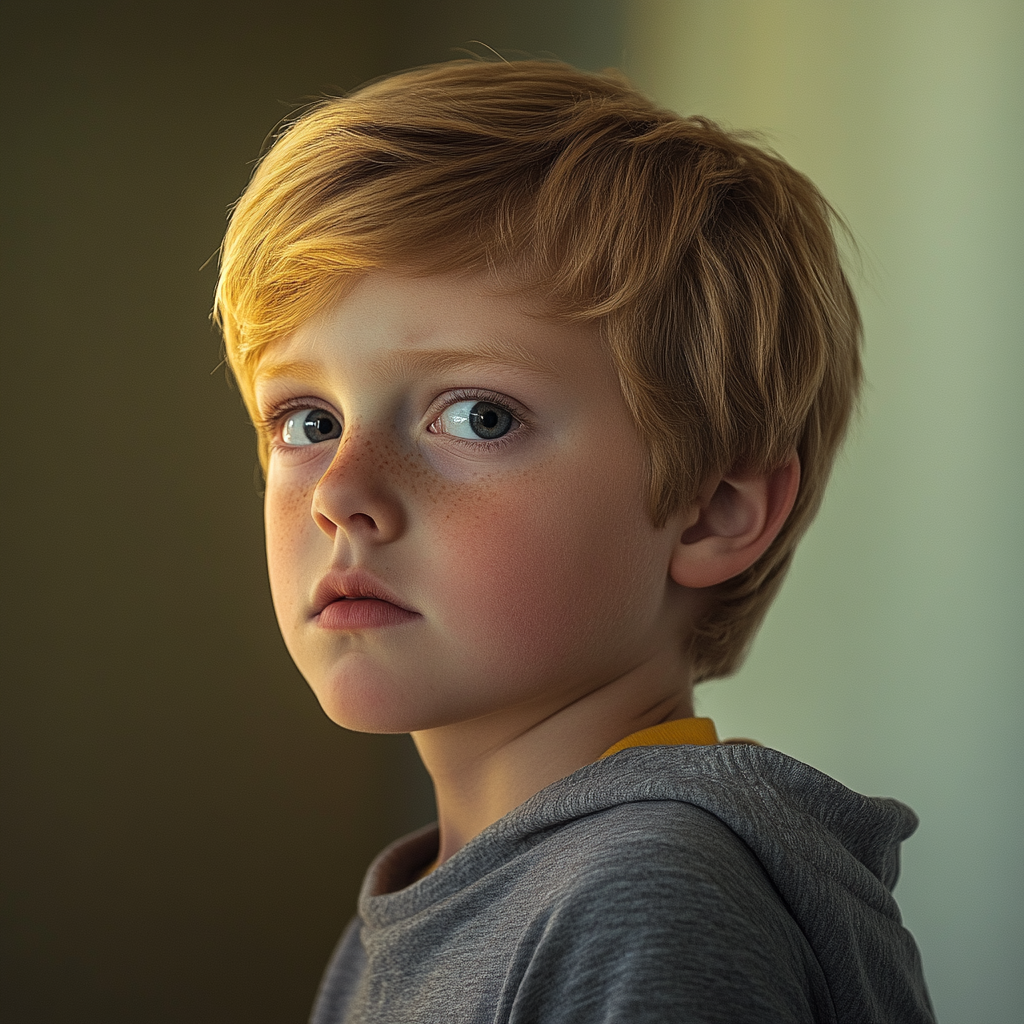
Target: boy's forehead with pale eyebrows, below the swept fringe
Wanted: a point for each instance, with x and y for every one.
(389, 324)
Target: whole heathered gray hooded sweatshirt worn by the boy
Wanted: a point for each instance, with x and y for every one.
(693, 884)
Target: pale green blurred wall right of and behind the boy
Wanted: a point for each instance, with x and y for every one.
(894, 659)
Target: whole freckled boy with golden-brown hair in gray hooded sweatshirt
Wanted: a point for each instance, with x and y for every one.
(548, 382)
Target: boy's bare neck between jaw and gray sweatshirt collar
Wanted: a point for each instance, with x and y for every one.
(485, 769)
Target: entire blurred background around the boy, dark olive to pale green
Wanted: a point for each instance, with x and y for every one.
(185, 832)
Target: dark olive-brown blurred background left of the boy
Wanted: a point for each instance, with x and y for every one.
(185, 832)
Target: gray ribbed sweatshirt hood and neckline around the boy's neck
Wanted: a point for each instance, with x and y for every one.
(803, 826)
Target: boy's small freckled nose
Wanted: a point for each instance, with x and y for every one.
(357, 494)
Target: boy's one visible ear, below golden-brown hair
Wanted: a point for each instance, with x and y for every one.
(732, 525)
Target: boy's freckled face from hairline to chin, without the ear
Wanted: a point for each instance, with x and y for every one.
(480, 464)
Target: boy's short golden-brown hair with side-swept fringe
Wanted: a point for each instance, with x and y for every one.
(709, 263)
